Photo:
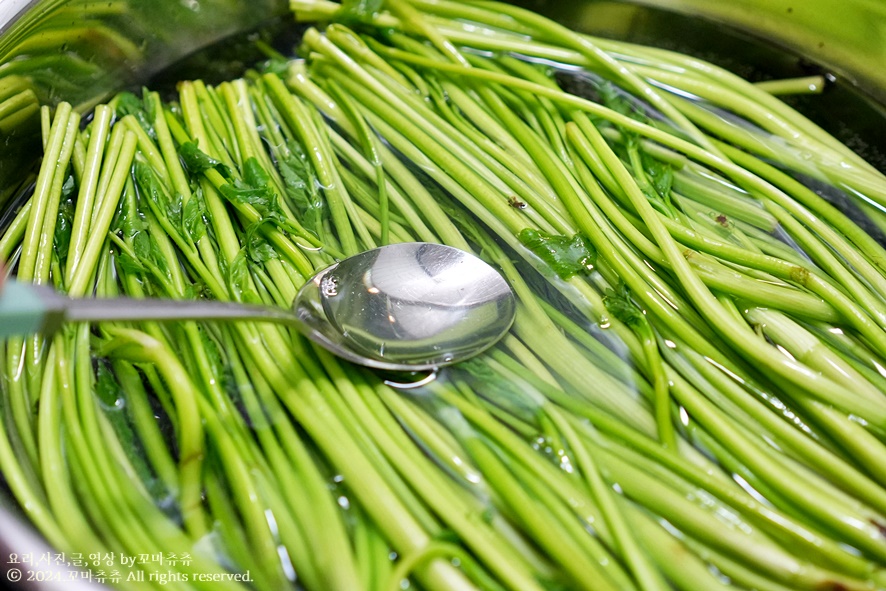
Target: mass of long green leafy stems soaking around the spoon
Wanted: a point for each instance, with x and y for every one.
(693, 395)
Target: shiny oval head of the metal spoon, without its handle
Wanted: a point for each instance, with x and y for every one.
(413, 305)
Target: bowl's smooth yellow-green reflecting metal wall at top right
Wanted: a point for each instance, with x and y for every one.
(847, 41)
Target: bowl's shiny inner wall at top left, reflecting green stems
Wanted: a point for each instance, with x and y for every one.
(84, 52)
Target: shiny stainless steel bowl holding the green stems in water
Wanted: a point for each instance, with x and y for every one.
(133, 40)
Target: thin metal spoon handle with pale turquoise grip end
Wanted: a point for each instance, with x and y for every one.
(26, 309)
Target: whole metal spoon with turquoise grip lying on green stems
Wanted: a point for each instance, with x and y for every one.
(402, 307)
